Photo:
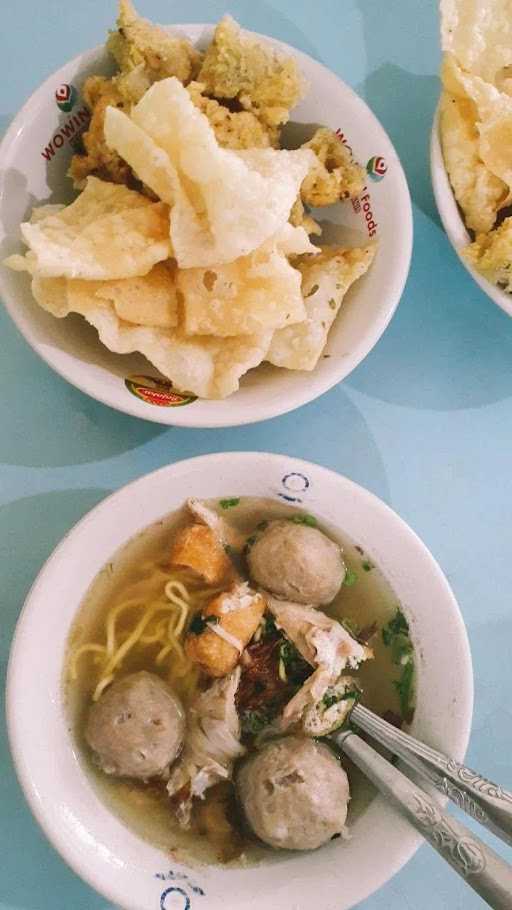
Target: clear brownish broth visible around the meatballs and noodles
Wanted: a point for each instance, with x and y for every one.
(145, 808)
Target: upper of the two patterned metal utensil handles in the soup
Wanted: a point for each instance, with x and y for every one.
(487, 803)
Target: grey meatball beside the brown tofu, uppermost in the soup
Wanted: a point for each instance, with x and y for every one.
(297, 562)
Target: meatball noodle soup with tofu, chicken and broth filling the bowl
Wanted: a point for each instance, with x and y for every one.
(210, 662)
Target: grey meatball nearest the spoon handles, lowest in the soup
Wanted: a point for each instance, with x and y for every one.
(294, 793)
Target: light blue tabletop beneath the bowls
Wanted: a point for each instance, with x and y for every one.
(424, 422)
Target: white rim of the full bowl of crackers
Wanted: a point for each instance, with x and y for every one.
(270, 406)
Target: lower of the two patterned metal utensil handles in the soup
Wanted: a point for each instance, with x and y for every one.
(482, 869)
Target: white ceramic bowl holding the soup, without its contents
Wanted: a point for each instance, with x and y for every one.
(94, 842)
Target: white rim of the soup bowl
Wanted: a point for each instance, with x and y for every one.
(16, 673)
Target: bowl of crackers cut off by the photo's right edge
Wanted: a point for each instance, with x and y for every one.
(471, 151)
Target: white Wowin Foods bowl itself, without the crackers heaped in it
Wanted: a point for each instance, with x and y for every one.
(71, 348)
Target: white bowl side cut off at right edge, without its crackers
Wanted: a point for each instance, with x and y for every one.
(453, 223)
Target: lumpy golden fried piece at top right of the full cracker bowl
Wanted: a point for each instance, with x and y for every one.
(238, 67)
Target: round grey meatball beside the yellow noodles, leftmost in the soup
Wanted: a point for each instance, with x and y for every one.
(136, 729)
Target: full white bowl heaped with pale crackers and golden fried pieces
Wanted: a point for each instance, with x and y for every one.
(200, 226)
